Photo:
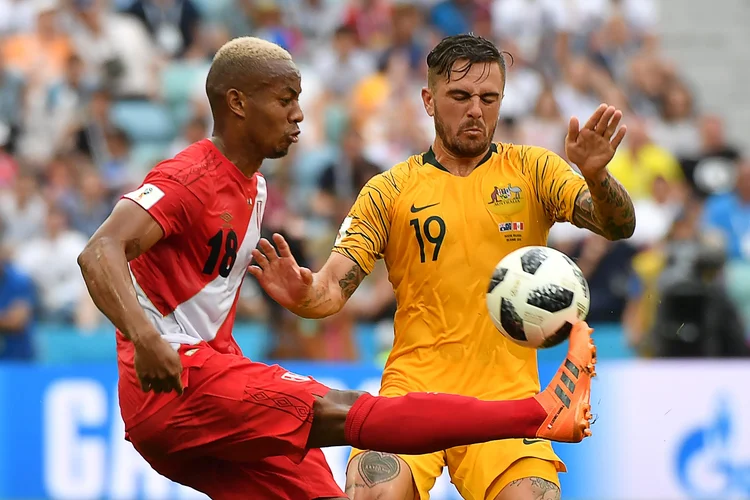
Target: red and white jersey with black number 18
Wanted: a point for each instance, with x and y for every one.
(211, 213)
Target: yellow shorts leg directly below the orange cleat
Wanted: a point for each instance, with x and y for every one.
(482, 471)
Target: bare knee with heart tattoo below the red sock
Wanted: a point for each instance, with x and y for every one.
(373, 475)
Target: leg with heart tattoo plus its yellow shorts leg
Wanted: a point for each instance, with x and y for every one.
(373, 475)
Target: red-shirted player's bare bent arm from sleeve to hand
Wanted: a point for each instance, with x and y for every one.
(127, 233)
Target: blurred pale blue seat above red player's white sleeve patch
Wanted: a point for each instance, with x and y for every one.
(143, 120)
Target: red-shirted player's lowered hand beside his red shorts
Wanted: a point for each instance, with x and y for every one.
(158, 365)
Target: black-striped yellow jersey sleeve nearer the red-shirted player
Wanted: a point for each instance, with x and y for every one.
(363, 235)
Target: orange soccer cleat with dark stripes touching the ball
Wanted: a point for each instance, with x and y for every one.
(567, 398)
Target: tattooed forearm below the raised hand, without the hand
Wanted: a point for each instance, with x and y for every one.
(606, 209)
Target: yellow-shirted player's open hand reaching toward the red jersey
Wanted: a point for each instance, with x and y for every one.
(279, 274)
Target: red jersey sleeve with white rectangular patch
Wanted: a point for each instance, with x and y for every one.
(172, 204)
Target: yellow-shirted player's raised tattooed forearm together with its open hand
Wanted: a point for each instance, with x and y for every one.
(605, 207)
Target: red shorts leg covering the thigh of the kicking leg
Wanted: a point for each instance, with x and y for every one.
(234, 410)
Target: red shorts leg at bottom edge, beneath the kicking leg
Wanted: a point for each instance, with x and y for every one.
(275, 477)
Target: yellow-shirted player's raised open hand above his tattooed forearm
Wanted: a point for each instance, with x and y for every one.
(592, 147)
